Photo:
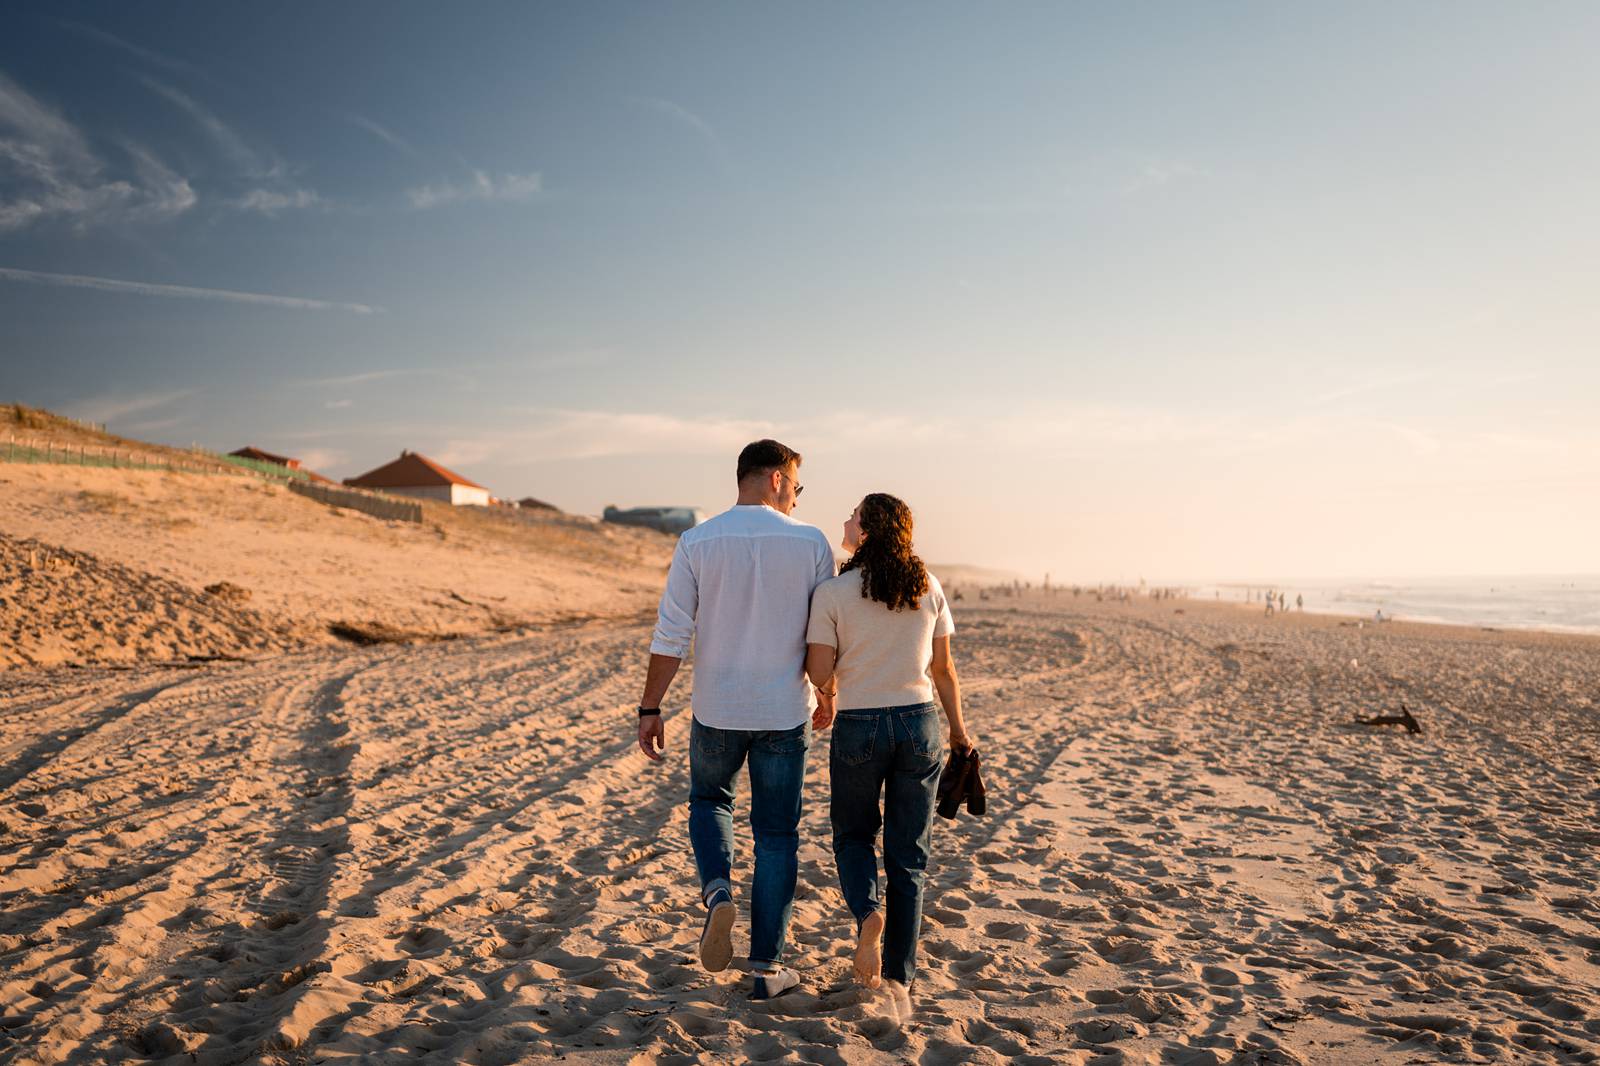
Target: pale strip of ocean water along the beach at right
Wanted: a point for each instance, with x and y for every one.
(1562, 603)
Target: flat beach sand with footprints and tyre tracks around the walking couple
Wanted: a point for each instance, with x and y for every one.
(455, 854)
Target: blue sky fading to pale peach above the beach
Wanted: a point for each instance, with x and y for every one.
(1170, 291)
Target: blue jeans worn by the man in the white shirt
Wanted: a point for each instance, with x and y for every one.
(777, 777)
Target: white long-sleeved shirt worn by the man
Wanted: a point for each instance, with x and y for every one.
(740, 590)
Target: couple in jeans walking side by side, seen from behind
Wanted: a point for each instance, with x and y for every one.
(754, 591)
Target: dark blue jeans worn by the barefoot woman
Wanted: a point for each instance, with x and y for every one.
(895, 753)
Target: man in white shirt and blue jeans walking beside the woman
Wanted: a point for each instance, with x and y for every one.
(740, 588)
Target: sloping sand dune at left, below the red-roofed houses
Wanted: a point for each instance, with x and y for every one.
(102, 566)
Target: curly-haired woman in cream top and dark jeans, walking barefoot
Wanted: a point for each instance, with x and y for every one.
(881, 638)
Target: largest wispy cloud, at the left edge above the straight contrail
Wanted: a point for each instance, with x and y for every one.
(49, 172)
